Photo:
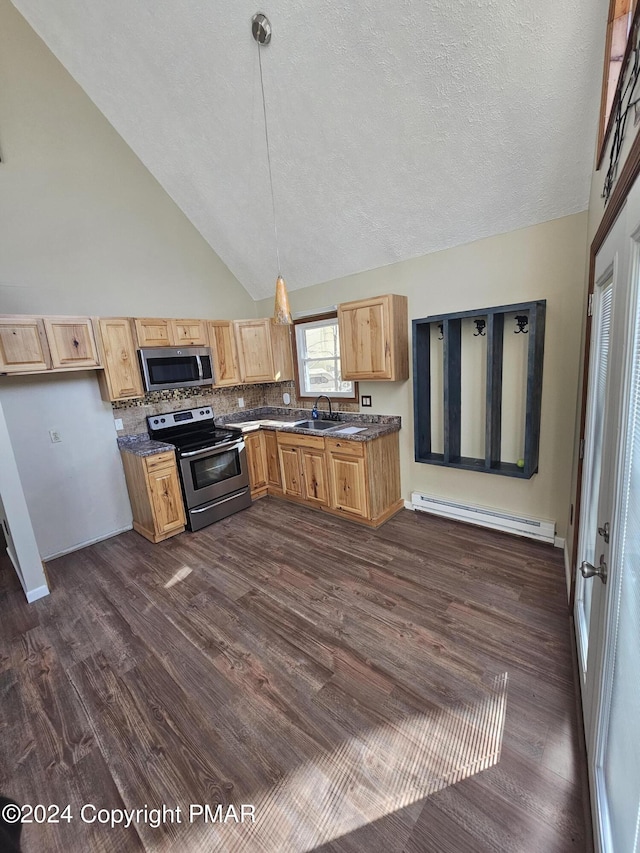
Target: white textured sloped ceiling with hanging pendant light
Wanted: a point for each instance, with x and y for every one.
(397, 127)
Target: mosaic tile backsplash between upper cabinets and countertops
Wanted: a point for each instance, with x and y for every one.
(223, 401)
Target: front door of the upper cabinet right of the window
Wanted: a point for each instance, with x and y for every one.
(365, 345)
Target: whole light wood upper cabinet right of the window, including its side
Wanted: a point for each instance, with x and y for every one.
(374, 340)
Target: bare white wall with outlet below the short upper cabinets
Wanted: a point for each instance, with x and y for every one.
(75, 490)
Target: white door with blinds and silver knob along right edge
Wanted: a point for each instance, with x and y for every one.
(611, 682)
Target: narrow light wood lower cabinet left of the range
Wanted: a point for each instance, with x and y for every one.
(155, 495)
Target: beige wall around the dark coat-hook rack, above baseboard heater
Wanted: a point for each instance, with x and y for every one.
(543, 262)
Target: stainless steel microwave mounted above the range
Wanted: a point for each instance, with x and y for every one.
(175, 367)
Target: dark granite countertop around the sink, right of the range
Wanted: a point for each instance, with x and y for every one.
(286, 420)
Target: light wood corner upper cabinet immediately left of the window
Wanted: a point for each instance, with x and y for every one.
(264, 351)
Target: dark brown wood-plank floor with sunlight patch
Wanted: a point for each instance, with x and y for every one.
(406, 690)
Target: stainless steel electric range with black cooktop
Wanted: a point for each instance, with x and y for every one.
(212, 463)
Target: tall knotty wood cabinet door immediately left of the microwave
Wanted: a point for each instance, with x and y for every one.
(121, 371)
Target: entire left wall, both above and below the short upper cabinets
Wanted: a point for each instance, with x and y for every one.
(85, 229)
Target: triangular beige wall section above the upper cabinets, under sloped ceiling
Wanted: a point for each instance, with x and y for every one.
(85, 228)
